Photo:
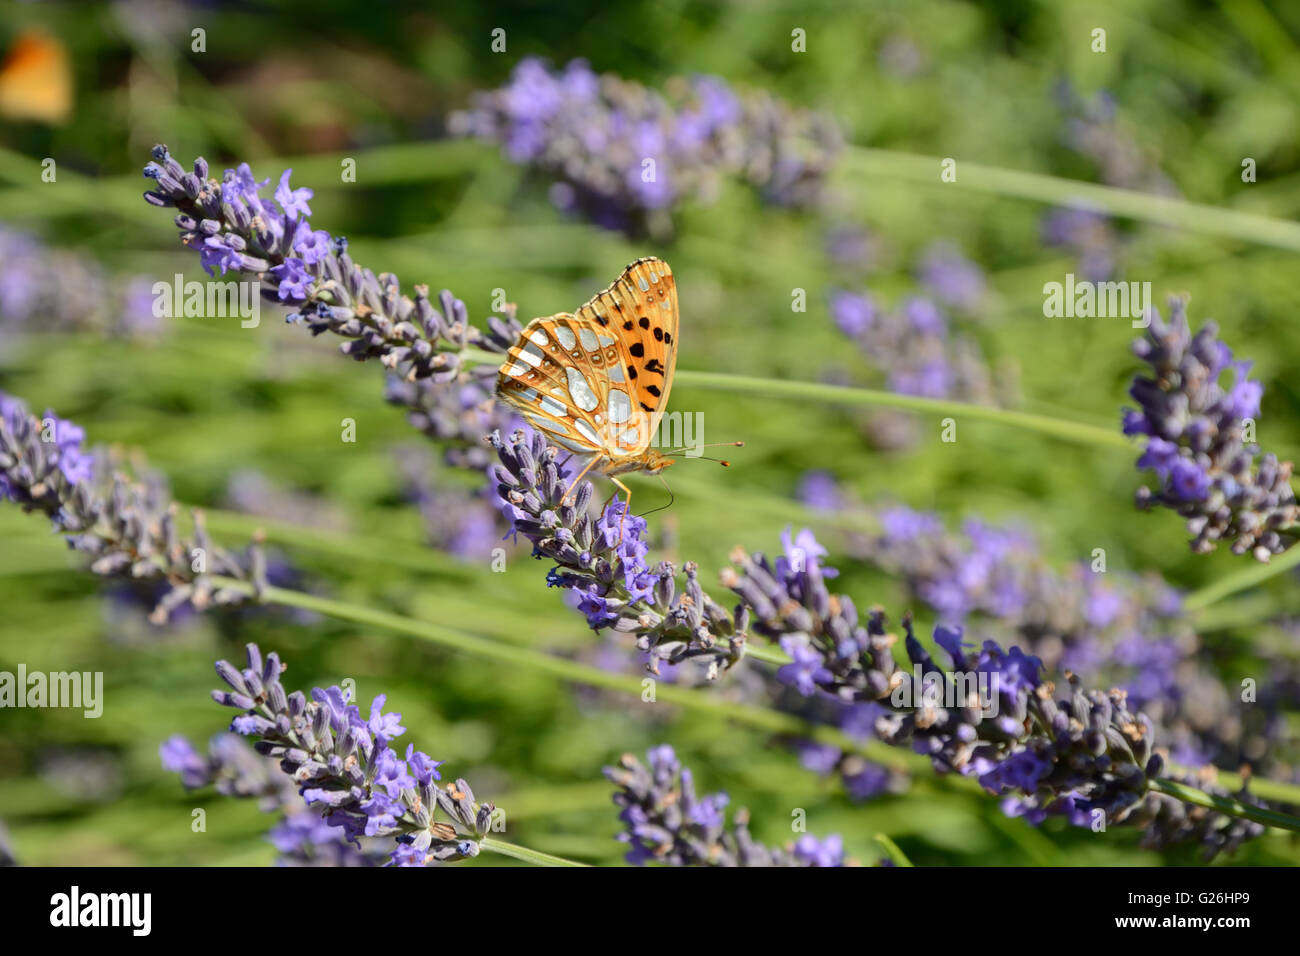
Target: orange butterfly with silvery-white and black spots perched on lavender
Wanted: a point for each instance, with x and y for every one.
(597, 382)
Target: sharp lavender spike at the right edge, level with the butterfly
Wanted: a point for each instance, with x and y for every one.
(1195, 431)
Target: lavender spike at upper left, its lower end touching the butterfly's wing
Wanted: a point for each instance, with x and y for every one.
(417, 339)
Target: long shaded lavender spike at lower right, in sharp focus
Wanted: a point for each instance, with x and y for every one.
(1076, 755)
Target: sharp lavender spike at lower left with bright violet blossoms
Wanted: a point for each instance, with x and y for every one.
(348, 771)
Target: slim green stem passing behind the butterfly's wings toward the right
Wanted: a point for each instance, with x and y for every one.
(840, 395)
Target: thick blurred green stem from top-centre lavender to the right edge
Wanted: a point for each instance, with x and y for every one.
(1199, 218)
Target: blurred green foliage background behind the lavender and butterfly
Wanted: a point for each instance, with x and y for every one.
(1201, 86)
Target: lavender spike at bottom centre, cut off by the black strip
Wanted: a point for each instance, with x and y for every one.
(668, 823)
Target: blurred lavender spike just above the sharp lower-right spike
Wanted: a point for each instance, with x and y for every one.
(995, 582)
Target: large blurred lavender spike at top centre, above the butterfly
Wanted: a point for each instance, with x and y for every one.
(623, 155)
